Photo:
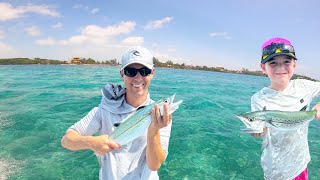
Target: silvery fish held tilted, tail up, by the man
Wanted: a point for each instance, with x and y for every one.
(136, 125)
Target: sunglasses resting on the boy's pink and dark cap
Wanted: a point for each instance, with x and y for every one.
(276, 48)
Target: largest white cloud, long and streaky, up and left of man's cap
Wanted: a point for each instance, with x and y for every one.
(93, 34)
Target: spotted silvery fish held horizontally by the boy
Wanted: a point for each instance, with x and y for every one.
(281, 119)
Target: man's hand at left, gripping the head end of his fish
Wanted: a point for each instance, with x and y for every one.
(103, 144)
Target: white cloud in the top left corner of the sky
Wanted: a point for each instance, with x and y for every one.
(9, 12)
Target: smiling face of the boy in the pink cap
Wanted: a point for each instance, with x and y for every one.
(279, 69)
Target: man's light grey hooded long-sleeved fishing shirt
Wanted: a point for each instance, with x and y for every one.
(128, 162)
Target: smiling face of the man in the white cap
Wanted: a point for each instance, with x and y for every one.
(138, 85)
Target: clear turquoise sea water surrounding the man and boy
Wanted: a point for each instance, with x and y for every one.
(38, 103)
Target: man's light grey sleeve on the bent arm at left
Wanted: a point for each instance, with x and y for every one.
(88, 125)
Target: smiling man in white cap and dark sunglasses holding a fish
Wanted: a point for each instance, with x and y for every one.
(141, 158)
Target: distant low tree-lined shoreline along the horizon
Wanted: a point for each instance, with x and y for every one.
(113, 62)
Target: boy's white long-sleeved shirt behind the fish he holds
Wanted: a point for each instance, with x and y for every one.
(285, 150)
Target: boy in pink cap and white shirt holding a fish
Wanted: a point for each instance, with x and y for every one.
(285, 151)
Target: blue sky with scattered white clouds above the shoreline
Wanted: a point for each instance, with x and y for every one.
(225, 33)
